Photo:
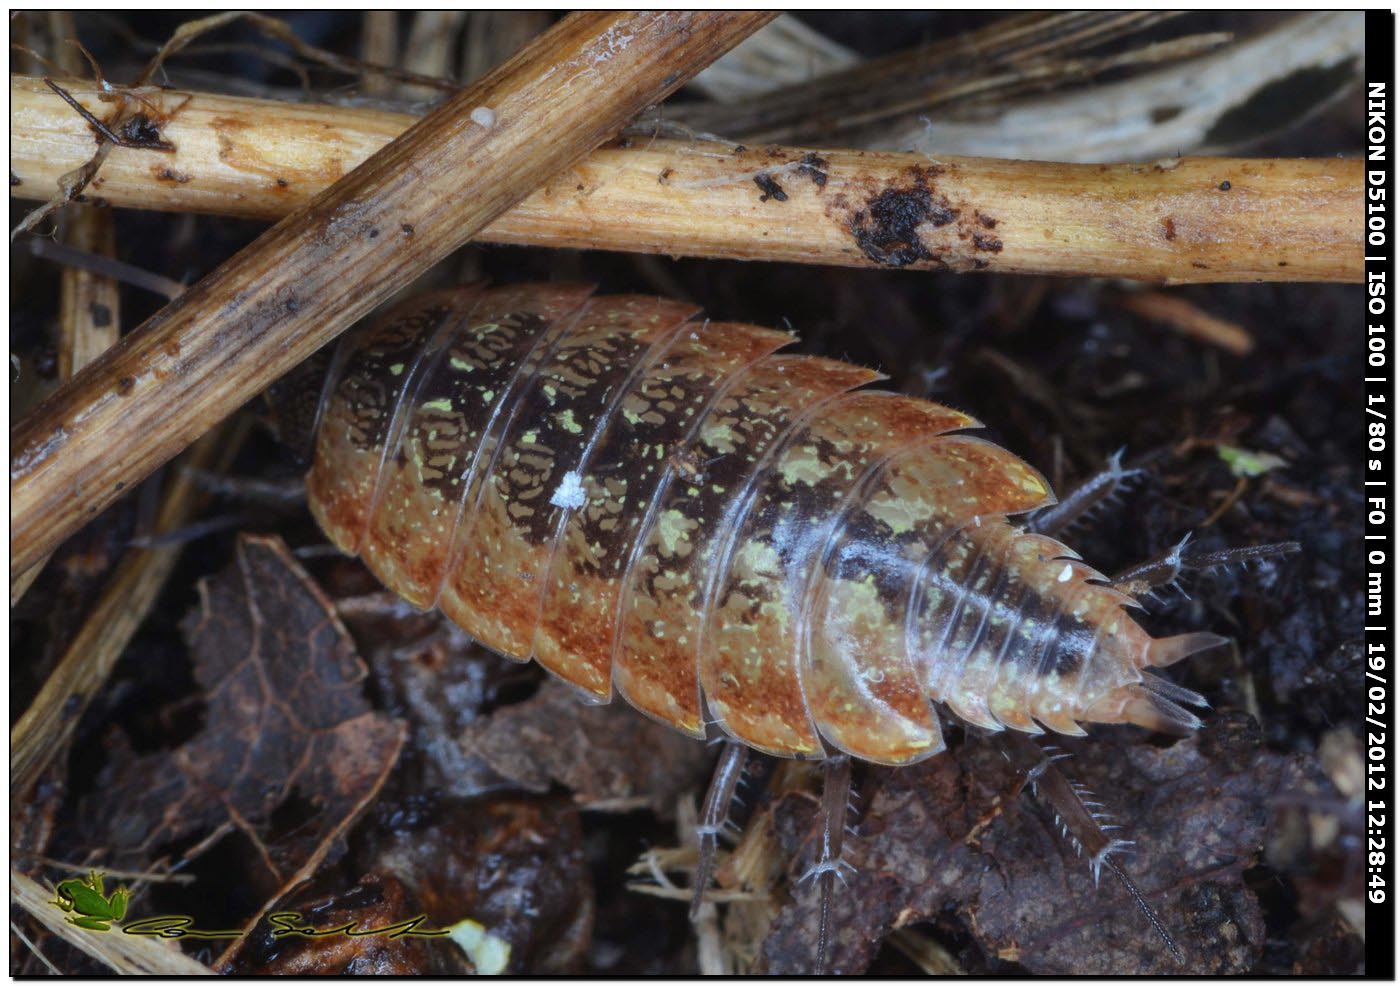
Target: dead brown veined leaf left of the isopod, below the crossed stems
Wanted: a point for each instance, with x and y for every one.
(286, 729)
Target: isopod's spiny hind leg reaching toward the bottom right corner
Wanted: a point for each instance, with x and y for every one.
(1081, 821)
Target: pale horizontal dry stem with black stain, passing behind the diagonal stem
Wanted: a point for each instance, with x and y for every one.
(1178, 222)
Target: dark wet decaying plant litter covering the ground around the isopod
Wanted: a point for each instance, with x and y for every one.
(289, 737)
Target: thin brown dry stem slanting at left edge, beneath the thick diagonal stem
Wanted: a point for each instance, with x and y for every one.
(136, 581)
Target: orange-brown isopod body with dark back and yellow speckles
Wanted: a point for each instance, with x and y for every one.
(668, 509)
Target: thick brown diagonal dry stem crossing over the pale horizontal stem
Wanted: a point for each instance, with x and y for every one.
(332, 261)
